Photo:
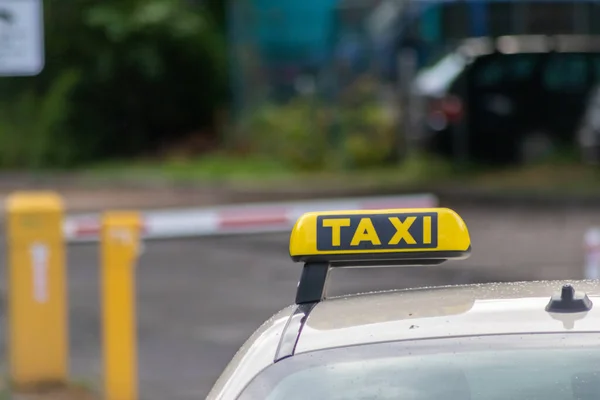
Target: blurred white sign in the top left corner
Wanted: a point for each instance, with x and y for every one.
(21, 37)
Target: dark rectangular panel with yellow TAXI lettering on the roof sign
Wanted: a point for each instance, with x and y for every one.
(377, 231)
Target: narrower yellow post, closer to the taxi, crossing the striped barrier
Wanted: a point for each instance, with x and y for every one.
(120, 250)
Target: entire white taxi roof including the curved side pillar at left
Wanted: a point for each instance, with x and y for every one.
(430, 312)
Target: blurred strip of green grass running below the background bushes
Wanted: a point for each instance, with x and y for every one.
(553, 176)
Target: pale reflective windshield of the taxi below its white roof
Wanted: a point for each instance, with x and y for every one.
(524, 367)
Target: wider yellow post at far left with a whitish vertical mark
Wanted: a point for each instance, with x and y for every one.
(37, 290)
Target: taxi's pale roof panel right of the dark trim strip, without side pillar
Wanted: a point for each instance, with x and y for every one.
(479, 309)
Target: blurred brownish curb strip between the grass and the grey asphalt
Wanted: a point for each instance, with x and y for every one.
(146, 196)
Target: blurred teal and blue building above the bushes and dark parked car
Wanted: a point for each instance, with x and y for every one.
(297, 37)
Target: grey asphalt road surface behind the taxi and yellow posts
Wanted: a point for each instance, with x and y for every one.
(199, 299)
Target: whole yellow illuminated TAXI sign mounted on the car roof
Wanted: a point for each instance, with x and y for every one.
(387, 237)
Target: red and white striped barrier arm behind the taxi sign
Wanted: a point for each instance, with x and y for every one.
(238, 219)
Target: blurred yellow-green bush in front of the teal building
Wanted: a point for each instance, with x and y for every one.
(311, 135)
